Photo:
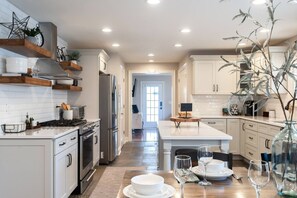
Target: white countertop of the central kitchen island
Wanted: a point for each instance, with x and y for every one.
(190, 131)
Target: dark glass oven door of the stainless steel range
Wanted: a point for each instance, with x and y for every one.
(86, 153)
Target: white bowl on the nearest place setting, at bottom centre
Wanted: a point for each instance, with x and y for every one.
(147, 184)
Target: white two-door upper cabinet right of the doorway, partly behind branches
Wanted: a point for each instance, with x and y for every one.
(207, 79)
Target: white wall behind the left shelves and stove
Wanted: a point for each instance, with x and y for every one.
(16, 101)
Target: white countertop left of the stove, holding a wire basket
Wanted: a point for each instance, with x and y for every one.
(40, 133)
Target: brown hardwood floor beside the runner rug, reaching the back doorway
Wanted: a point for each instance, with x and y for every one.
(142, 151)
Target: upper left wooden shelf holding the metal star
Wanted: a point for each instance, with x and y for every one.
(25, 48)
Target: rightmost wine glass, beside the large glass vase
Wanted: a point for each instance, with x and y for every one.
(258, 174)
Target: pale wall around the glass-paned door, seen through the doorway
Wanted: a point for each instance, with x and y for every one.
(167, 92)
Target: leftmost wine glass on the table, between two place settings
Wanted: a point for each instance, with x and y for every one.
(182, 166)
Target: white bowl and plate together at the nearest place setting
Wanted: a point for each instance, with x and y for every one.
(148, 186)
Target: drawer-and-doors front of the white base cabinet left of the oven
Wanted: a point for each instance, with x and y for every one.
(65, 165)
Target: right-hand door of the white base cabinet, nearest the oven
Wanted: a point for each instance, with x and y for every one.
(72, 169)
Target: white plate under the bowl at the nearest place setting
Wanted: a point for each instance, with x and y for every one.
(166, 192)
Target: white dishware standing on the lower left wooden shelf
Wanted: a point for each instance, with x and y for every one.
(16, 65)
